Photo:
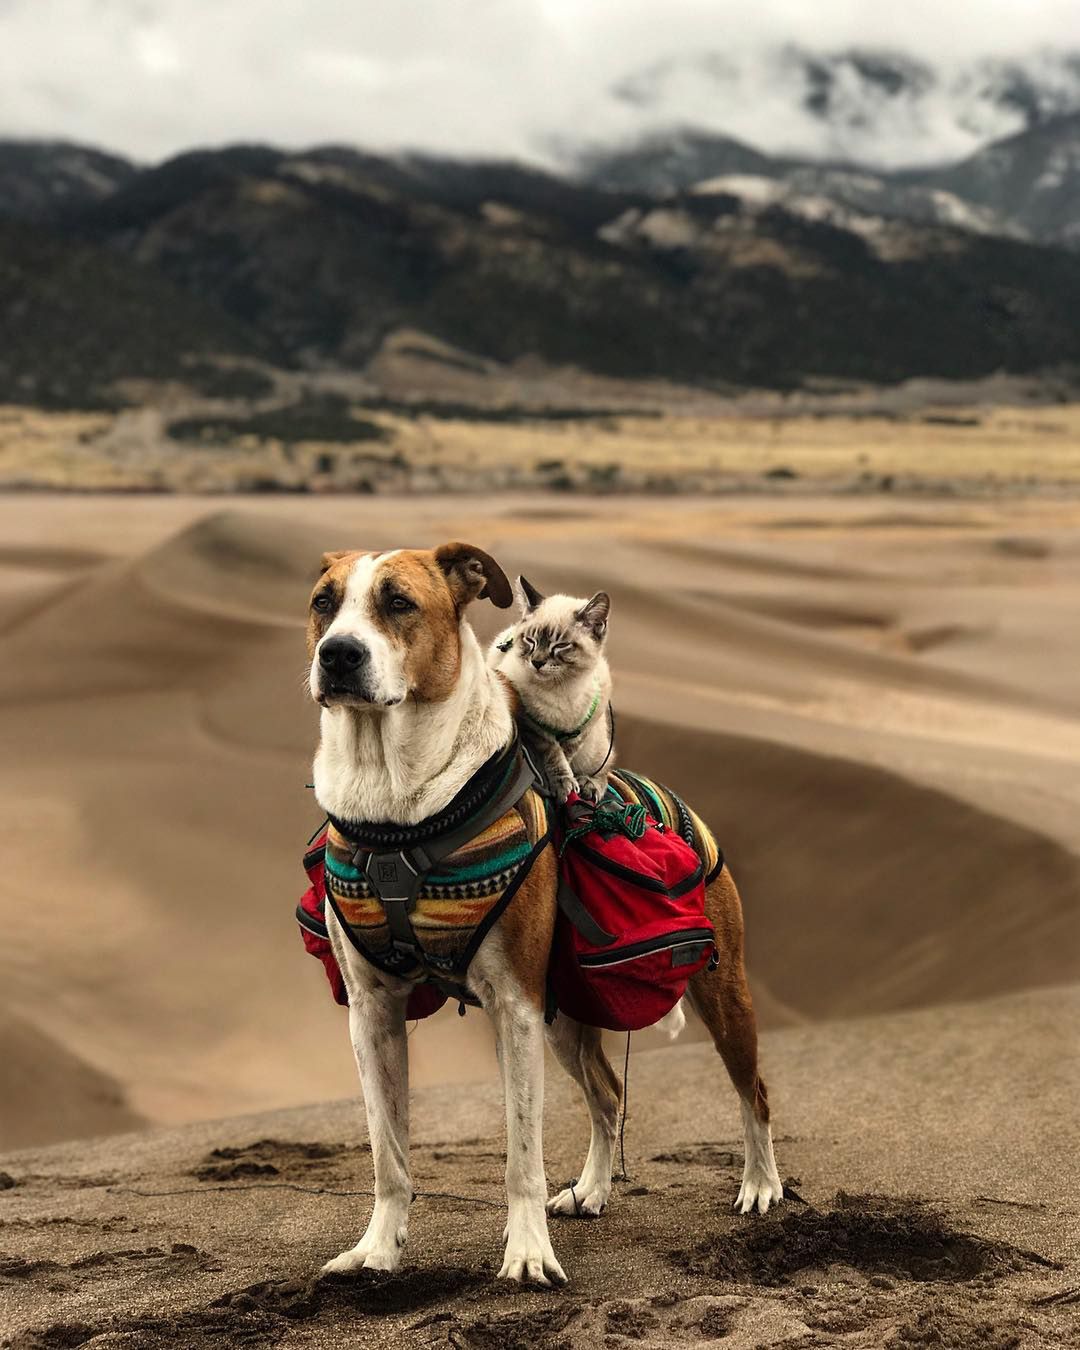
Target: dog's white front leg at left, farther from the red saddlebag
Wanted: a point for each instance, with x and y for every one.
(377, 1027)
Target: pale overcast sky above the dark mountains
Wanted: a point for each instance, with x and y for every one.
(151, 78)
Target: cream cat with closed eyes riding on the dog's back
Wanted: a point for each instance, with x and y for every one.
(554, 658)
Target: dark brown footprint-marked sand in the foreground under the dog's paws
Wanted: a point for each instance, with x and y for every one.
(932, 1202)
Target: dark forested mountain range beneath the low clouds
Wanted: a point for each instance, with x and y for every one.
(688, 254)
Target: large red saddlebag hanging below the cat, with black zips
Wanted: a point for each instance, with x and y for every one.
(632, 927)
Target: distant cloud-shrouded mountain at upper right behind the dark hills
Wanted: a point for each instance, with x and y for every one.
(992, 148)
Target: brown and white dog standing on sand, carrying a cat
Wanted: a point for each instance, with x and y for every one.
(411, 711)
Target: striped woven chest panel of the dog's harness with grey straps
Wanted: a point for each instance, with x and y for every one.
(418, 901)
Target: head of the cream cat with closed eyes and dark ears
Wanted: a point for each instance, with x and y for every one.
(560, 637)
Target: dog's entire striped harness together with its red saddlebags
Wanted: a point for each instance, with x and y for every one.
(418, 901)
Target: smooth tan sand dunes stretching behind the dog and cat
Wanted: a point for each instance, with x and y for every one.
(901, 811)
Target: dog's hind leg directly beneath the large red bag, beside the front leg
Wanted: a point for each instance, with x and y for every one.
(580, 1050)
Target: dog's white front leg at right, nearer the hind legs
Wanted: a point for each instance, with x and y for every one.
(520, 1046)
